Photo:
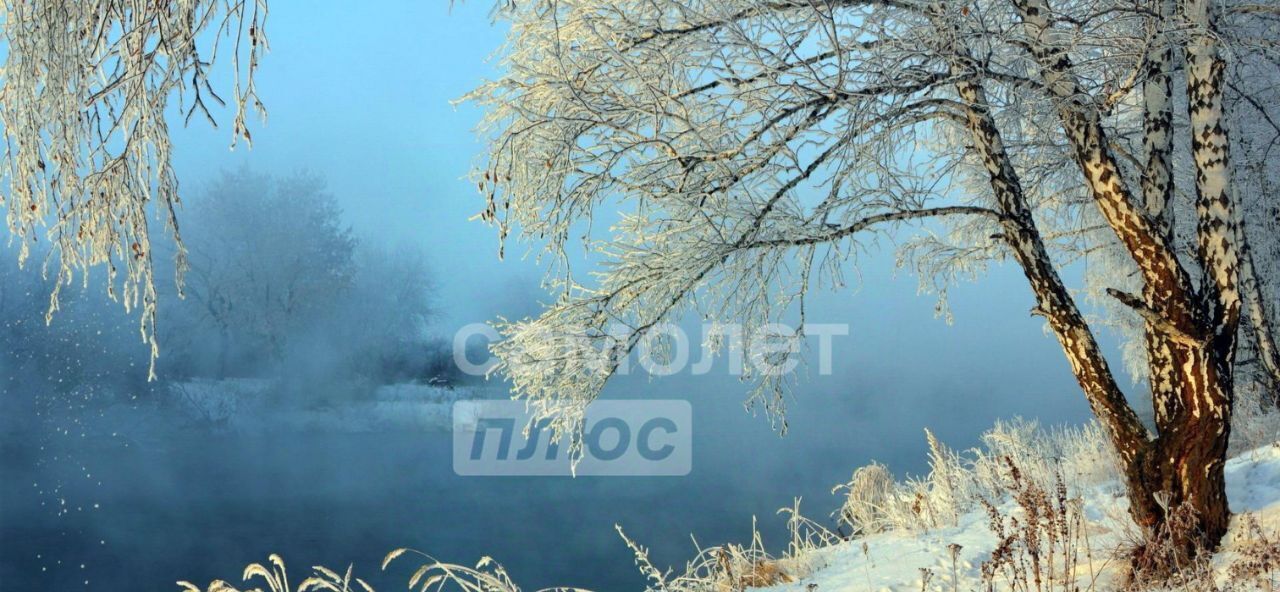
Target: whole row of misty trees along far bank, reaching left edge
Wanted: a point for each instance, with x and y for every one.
(278, 288)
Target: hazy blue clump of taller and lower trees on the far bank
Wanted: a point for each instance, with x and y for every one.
(280, 285)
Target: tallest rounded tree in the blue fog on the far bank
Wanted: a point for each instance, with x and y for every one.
(268, 258)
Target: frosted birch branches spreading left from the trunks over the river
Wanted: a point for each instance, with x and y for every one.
(728, 157)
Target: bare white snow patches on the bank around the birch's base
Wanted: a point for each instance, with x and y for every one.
(904, 561)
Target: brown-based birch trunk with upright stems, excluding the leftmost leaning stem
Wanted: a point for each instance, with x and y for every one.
(1191, 334)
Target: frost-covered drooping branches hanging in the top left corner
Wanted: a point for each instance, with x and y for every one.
(84, 99)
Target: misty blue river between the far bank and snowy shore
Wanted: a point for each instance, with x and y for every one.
(126, 500)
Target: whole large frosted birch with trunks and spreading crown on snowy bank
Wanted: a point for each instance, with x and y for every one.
(756, 151)
